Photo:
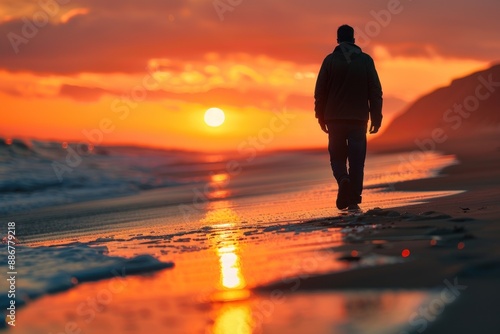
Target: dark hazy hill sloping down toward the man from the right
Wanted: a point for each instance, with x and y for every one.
(463, 112)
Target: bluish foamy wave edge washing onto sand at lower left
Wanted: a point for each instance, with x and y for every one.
(49, 269)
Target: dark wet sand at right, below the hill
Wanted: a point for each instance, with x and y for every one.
(451, 245)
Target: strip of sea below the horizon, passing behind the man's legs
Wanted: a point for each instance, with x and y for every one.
(40, 174)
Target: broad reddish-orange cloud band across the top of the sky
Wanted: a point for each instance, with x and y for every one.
(122, 36)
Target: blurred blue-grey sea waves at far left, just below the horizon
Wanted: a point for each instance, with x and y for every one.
(36, 174)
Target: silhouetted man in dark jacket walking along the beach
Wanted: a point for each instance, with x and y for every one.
(348, 93)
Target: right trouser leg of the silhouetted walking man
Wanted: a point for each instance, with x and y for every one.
(356, 155)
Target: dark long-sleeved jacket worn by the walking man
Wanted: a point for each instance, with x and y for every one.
(348, 87)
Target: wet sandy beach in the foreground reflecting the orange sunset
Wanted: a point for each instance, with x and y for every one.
(422, 257)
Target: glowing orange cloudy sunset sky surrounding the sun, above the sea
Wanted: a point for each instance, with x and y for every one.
(144, 72)
